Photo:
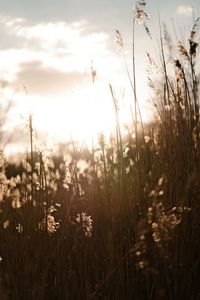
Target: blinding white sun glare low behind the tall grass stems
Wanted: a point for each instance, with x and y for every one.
(80, 114)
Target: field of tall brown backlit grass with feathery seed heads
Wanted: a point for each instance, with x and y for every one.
(121, 221)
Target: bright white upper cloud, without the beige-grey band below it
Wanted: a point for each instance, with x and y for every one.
(65, 47)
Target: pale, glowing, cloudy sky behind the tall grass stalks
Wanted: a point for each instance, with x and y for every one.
(47, 48)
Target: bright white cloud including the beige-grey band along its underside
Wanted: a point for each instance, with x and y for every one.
(51, 57)
